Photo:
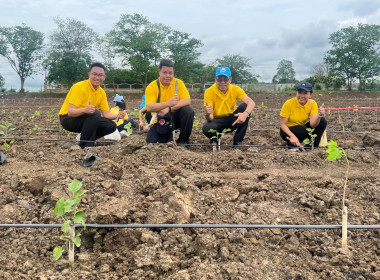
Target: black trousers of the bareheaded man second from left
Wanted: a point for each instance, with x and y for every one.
(183, 119)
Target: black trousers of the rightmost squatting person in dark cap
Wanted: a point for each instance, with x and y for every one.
(301, 132)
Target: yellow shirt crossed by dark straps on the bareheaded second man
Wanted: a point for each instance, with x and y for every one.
(151, 92)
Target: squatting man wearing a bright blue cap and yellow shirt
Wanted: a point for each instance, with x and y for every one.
(221, 109)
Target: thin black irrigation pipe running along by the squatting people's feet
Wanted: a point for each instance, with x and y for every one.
(190, 144)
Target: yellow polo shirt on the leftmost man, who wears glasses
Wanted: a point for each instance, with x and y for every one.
(83, 92)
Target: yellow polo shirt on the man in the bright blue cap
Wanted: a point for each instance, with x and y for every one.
(224, 104)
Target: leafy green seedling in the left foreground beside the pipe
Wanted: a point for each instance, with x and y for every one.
(67, 210)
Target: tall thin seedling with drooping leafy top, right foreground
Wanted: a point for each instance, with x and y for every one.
(335, 152)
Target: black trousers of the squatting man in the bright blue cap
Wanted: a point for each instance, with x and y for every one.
(219, 124)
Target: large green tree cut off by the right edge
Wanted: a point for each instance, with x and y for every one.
(355, 53)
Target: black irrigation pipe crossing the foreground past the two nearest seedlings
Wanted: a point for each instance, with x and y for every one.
(192, 226)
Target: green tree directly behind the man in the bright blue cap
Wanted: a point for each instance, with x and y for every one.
(239, 66)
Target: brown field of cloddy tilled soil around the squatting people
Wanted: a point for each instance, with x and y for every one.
(133, 183)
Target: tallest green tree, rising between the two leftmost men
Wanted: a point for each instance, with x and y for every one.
(139, 42)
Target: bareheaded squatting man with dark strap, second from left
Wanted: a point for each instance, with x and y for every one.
(168, 99)
